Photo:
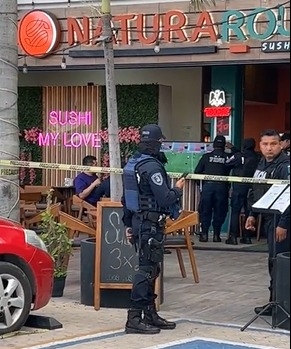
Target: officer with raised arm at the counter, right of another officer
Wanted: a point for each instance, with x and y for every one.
(243, 164)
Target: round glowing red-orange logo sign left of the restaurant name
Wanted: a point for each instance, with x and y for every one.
(39, 33)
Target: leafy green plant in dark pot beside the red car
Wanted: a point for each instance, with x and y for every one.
(59, 246)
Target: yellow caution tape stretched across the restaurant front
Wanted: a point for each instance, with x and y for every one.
(65, 167)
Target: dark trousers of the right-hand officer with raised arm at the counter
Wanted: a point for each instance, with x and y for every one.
(239, 201)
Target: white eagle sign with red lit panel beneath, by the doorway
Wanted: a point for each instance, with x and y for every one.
(217, 107)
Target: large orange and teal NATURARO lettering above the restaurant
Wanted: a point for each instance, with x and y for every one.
(176, 25)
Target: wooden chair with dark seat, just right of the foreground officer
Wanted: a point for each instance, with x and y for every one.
(178, 241)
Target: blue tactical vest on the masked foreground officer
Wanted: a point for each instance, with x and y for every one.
(134, 199)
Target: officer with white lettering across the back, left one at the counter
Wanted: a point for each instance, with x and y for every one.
(214, 195)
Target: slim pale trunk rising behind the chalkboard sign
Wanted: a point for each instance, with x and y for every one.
(113, 139)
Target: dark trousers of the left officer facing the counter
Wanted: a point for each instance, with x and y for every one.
(213, 203)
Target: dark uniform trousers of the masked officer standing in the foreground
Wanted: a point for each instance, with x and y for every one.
(143, 288)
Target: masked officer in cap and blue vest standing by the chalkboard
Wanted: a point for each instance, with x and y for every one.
(147, 200)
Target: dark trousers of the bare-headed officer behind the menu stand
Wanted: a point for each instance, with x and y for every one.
(283, 246)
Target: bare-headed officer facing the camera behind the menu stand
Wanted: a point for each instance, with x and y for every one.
(274, 164)
